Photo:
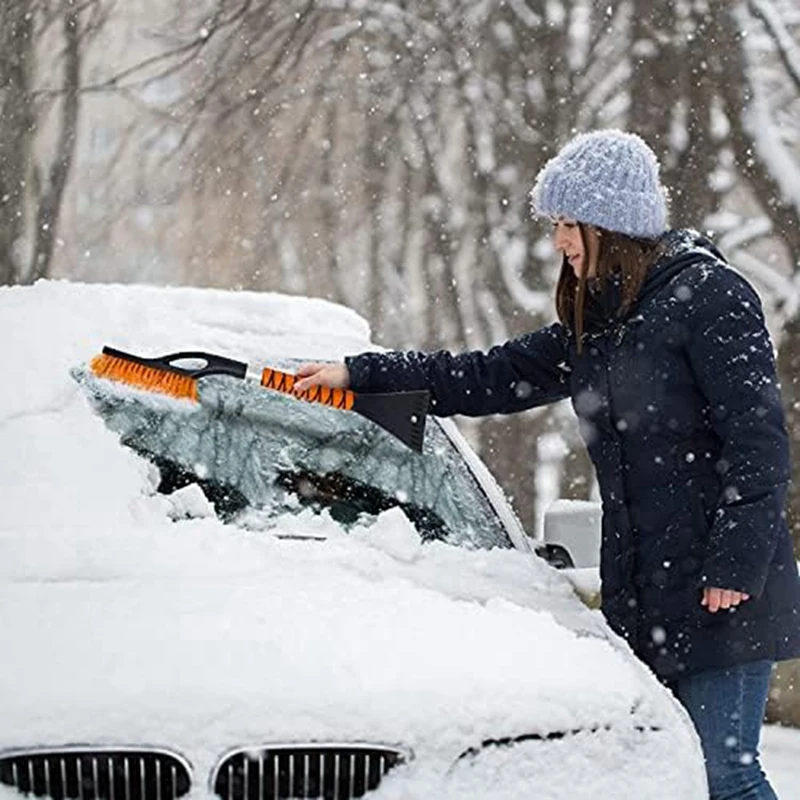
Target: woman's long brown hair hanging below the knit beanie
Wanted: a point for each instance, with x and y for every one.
(629, 256)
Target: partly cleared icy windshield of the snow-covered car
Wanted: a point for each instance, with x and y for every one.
(249, 448)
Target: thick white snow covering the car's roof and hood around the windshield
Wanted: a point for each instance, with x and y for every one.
(122, 626)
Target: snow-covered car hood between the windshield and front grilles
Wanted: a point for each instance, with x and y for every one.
(200, 636)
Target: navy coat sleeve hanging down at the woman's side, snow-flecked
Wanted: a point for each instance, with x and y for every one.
(732, 357)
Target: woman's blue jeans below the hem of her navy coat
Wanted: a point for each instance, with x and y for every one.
(727, 708)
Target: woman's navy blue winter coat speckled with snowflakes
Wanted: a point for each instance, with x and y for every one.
(681, 412)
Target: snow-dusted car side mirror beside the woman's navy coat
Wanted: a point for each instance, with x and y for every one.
(572, 527)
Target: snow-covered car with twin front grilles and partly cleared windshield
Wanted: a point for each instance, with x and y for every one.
(250, 597)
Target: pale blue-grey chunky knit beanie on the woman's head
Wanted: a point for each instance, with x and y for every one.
(605, 178)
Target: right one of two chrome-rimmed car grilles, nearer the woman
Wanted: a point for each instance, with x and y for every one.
(279, 772)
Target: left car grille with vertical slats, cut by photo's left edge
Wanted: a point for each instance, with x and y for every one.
(96, 773)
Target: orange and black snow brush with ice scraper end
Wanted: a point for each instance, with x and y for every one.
(402, 414)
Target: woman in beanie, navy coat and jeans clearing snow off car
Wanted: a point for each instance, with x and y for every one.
(663, 350)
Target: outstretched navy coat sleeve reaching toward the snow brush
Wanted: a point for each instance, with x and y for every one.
(525, 372)
